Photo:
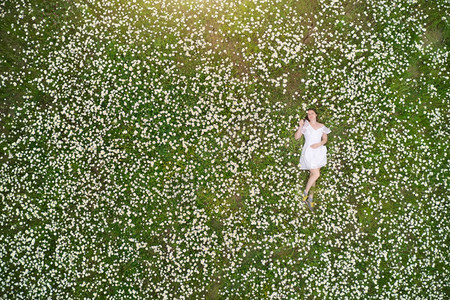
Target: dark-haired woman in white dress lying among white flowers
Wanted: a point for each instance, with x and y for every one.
(314, 153)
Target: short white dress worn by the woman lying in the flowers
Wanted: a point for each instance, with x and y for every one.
(313, 158)
